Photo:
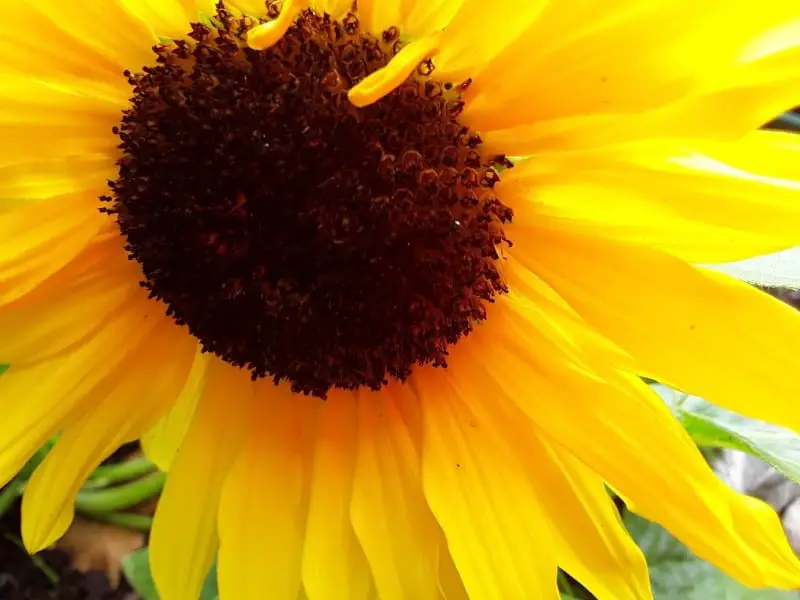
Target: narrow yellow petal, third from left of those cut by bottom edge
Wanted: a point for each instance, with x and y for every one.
(334, 565)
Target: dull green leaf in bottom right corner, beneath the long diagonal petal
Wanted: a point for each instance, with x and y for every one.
(677, 574)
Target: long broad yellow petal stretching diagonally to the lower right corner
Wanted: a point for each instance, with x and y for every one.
(663, 473)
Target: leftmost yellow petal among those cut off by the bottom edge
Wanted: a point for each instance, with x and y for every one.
(184, 535)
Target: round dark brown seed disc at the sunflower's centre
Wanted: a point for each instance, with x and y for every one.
(294, 234)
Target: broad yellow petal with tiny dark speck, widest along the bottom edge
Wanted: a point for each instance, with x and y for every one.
(496, 532)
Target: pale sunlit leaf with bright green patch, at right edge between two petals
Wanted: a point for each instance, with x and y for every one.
(714, 427)
